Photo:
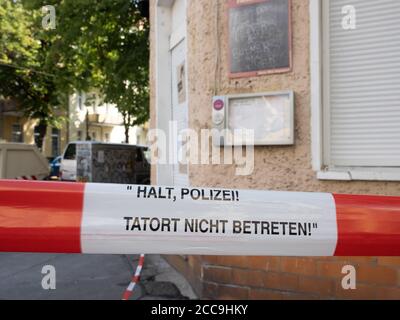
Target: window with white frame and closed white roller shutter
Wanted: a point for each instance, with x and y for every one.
(359, 88)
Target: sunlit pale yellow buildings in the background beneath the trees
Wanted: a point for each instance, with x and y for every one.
(88, 117)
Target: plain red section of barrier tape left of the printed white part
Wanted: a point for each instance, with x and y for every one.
(40, 217)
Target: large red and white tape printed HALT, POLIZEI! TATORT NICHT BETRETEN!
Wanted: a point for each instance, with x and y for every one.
(120, 219)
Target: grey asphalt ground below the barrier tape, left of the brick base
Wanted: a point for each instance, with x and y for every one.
(88, 277)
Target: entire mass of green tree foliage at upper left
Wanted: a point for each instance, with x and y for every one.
(96, 44)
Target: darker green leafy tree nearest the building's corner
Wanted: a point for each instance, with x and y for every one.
(103, 45)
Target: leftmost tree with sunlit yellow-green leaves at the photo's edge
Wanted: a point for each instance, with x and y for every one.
(24, 75)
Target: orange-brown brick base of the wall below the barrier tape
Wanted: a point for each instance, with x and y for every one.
(270, 278)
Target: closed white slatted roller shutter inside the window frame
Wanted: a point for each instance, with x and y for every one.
(362, 93)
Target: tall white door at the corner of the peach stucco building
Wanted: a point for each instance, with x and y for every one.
(172, 100)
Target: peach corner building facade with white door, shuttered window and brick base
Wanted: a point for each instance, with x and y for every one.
(341, 62)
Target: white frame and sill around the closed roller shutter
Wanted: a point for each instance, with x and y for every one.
(319, 139)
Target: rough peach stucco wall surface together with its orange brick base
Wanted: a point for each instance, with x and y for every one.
(276, 168)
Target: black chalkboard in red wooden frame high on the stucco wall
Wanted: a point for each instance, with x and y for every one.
(259, 37)
